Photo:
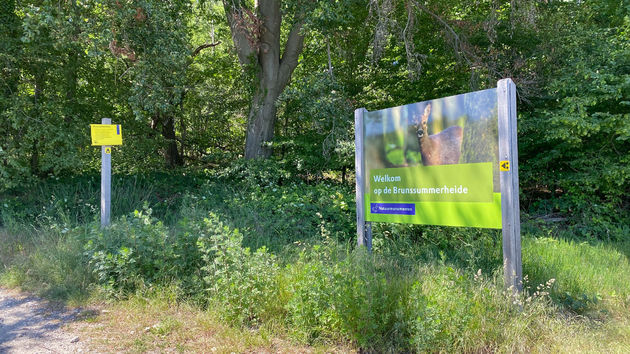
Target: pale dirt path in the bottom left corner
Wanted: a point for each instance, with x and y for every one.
(32, 325)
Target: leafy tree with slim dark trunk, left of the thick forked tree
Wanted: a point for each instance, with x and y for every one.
(153, 39)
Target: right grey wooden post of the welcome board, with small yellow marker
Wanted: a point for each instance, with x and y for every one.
(510, 212)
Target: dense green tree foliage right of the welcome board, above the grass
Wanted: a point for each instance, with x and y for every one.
(578, 165)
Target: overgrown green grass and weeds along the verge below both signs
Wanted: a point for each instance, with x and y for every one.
(422, 289)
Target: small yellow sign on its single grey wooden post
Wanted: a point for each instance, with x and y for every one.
(106, 135)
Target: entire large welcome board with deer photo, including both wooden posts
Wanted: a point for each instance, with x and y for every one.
(450, 161)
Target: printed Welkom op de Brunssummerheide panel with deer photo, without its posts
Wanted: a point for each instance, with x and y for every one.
(434, 162)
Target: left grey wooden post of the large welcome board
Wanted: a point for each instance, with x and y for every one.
(364, 229)
